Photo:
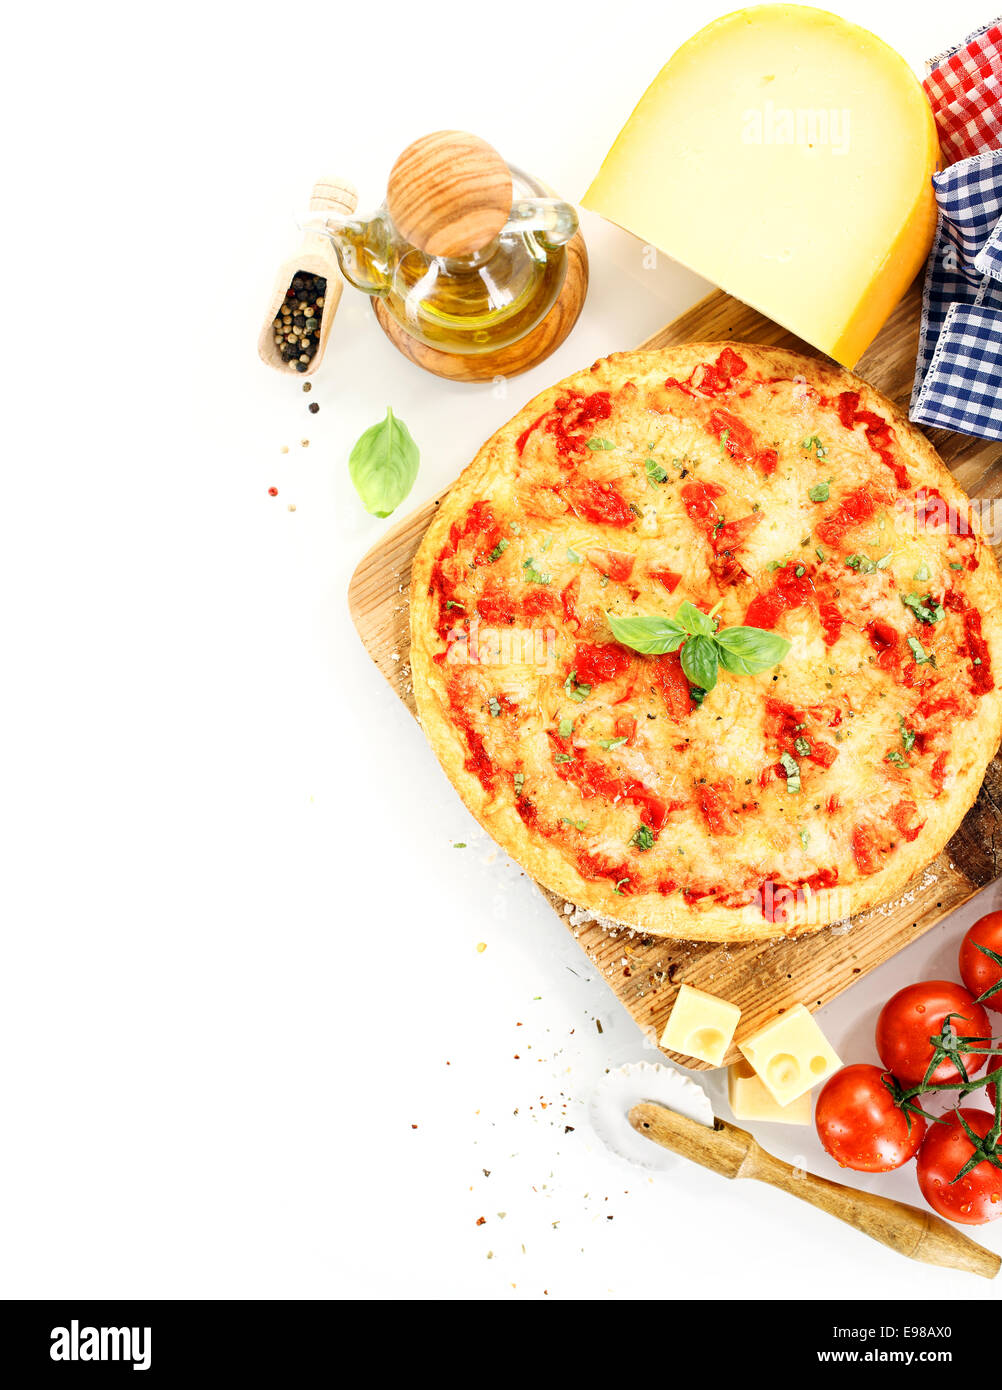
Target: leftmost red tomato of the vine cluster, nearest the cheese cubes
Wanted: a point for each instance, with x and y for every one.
(861, 1127)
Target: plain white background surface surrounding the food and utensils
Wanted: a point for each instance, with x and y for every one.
(238, 945)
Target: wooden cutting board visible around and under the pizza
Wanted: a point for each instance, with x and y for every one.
(761, 978)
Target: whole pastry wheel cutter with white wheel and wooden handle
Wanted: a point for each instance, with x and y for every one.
(647, 1113)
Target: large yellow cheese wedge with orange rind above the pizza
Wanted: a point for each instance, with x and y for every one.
(787, 156)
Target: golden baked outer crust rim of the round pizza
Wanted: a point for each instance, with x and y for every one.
(490, 477)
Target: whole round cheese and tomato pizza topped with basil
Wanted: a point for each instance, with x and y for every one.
(709, 640)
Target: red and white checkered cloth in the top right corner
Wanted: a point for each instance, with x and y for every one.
(965, 90)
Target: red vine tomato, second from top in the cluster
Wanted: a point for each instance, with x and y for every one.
(914, 1017)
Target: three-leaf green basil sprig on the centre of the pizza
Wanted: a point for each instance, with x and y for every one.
(744, 651)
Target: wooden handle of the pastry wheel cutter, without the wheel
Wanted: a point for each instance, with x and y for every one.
(733, 1153)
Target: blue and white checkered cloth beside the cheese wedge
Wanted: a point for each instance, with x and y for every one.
(958, 382)
